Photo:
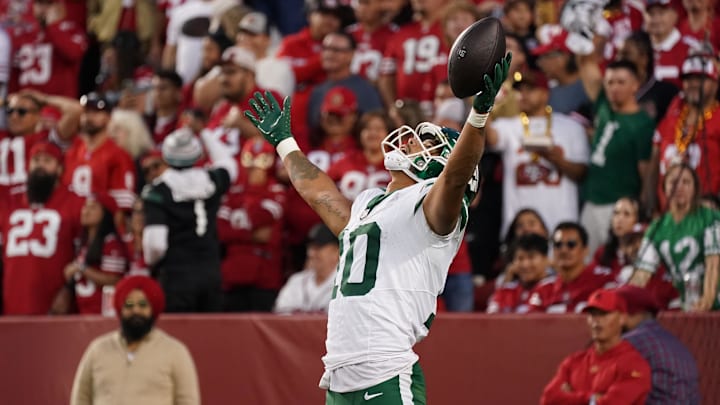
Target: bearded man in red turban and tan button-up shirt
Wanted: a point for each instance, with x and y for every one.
(140, 345)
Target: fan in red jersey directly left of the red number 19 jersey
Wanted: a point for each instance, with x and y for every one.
(372, 36)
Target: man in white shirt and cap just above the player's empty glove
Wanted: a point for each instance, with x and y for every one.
(271, 73)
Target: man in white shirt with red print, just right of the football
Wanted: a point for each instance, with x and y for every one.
(544, 154)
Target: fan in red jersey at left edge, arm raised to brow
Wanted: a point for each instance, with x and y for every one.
(23, 113)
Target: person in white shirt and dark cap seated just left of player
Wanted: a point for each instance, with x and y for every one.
(311, 289)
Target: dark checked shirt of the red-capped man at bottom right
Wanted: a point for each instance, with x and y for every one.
(675, 378)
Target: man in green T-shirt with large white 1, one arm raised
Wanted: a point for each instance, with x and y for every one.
(621, 144)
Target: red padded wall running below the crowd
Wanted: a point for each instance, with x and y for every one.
(265, 359)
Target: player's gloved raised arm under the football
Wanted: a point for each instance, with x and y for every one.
(443, 203)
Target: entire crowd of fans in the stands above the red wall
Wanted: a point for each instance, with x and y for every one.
(598, 169)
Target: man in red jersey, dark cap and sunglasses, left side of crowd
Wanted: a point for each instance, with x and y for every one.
(95, 163)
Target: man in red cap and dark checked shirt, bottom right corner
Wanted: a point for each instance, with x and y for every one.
(675, 378)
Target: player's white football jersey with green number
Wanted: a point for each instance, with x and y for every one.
(392, 268)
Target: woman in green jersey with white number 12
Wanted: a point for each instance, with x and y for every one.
(686, 240)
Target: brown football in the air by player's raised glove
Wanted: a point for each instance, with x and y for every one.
(474, 54)
